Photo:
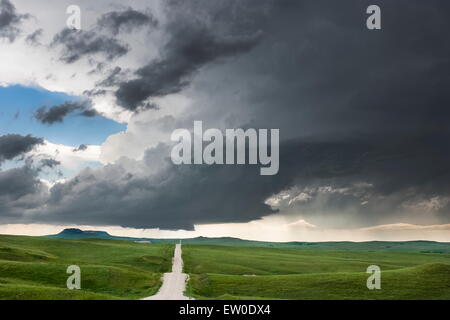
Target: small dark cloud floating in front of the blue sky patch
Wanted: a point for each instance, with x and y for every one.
(57, 113)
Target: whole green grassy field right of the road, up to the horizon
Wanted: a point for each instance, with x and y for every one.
(415, 270)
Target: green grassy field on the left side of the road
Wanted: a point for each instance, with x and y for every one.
(35, 268)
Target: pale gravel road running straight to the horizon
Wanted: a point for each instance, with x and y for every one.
(174, 283)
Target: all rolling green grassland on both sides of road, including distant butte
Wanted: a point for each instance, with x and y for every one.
(220, 268)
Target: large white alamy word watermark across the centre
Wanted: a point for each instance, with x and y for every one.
(233, 144)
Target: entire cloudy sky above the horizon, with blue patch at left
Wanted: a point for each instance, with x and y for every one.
(86, 118)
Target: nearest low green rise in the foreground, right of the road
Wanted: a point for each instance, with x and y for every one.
(429, 281)
